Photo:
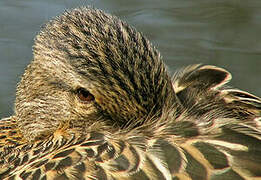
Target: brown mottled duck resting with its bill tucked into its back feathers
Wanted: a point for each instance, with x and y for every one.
(97, 102)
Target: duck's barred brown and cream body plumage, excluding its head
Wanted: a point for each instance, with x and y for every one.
(185, 145)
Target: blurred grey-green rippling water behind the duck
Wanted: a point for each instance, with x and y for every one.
(225, 33)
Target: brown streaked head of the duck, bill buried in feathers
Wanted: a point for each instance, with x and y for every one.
(89, 66)
